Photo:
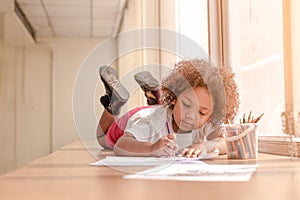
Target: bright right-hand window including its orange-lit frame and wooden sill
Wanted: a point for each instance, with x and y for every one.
(263, 43)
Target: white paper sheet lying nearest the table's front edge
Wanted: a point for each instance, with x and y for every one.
(192, 172)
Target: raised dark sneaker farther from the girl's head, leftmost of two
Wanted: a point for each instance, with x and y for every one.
(116, 94)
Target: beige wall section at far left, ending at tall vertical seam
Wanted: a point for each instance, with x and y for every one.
(25, 96)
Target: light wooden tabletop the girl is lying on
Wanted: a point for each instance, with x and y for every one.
(66, 174)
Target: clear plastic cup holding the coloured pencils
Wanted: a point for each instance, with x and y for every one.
(241, 140)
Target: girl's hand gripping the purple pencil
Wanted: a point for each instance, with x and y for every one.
(165, 146)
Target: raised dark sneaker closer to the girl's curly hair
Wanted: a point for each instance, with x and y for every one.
(149, 85)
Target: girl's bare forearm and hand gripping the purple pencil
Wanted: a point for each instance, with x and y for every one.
(127, 145)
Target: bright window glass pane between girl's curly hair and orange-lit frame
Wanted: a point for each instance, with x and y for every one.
(256, 49)
